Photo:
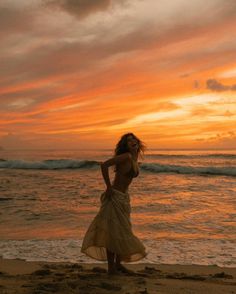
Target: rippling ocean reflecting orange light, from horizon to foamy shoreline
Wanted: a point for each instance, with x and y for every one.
(183, 204)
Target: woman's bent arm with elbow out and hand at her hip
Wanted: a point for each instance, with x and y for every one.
(112, 161)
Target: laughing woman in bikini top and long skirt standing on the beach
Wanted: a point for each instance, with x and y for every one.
(110, 236)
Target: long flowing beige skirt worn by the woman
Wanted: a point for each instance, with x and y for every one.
(111, 229)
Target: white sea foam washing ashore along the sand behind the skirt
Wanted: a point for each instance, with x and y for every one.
(203, 252)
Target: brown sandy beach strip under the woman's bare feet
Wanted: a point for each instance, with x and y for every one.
(18, 276)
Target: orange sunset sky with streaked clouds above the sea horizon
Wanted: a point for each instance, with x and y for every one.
(80, 73)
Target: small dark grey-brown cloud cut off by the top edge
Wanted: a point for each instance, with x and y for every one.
(80, 8)
